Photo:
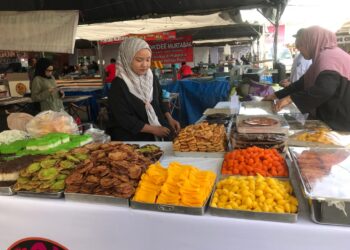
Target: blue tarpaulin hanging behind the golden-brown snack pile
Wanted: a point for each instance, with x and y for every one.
(196, 96)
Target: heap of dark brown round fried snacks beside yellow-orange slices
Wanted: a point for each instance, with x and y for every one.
(112, 169)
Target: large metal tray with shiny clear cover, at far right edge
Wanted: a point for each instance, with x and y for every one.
(325, 180)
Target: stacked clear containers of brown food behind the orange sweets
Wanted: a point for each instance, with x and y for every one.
(265, 131)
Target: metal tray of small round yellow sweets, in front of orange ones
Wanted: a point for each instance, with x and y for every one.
(273, 206)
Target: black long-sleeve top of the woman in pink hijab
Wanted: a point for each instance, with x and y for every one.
(329, 97)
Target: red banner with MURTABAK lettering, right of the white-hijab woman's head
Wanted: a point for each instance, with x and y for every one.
(172, 51)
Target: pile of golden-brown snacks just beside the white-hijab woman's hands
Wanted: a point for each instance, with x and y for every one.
(201, 140)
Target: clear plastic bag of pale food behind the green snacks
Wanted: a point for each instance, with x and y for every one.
(49, 122)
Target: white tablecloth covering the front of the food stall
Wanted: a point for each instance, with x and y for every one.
(85, 226)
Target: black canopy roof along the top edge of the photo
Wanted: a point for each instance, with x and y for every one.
(96, 11)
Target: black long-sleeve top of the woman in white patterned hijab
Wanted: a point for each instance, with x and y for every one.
(127, 113)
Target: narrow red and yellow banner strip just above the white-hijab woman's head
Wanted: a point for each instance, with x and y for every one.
(158, 36)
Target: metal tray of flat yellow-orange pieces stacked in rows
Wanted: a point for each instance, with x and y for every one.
(178, 188)
